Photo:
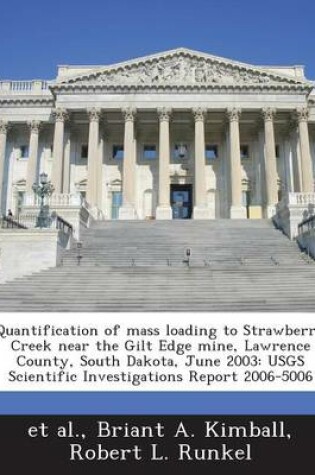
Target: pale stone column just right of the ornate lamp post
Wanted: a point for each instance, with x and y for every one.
(58, 149)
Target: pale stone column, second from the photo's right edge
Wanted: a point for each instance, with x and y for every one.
(270, 162)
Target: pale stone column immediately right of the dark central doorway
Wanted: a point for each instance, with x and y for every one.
(201, 210)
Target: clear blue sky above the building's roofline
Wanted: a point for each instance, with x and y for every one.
(36, 36)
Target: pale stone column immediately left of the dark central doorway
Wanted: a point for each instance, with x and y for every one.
(164, 210)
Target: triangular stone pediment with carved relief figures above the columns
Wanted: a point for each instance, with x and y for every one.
(178, 71)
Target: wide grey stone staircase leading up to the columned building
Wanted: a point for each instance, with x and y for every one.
(235, 265)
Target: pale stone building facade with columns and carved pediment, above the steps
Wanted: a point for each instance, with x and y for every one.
(173, 135)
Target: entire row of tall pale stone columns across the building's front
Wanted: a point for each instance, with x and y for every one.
(129, 164)
